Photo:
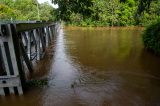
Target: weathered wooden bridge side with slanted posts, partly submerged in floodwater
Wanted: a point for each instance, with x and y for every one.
(20, 45)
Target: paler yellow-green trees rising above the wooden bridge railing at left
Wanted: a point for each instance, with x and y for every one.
(25, 10)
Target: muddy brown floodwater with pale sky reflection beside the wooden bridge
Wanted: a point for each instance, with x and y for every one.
(95, 67)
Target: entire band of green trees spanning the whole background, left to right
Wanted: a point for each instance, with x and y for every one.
(84, 12)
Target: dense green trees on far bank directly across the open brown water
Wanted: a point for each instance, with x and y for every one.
(108, 12)
